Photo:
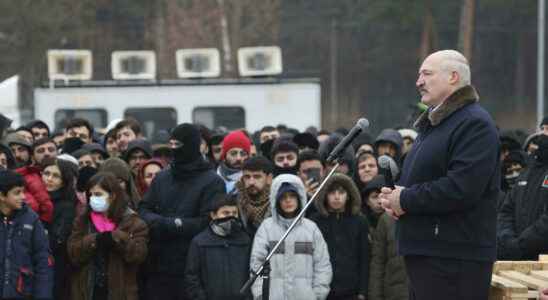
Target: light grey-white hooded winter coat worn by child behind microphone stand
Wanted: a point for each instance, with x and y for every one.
(300, 268)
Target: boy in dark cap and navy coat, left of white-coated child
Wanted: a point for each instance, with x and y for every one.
(218, 258)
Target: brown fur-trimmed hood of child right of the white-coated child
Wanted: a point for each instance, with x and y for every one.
(354, 197)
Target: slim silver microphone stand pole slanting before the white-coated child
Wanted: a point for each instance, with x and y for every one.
(264, 269)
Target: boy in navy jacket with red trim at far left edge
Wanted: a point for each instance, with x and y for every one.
(28, 260)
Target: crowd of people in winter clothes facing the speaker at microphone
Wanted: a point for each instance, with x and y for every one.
(188, 214)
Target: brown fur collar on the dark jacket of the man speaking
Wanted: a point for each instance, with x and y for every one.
(460, 98)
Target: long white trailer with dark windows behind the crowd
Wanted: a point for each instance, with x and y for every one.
(244, 103)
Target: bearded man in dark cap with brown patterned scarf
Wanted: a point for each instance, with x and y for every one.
(253, 192)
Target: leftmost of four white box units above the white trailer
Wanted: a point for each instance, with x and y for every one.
(70, 64)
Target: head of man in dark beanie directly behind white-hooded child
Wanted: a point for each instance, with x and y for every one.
(285, 154)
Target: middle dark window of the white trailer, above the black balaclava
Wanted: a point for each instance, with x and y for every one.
(153, 119)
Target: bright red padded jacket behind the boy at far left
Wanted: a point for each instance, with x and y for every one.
(36, 194)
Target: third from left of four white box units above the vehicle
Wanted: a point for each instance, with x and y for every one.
(196, 63)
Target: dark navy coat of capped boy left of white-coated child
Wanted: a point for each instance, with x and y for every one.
(217, 267)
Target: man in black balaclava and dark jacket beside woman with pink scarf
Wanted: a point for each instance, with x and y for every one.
(175, 209)
